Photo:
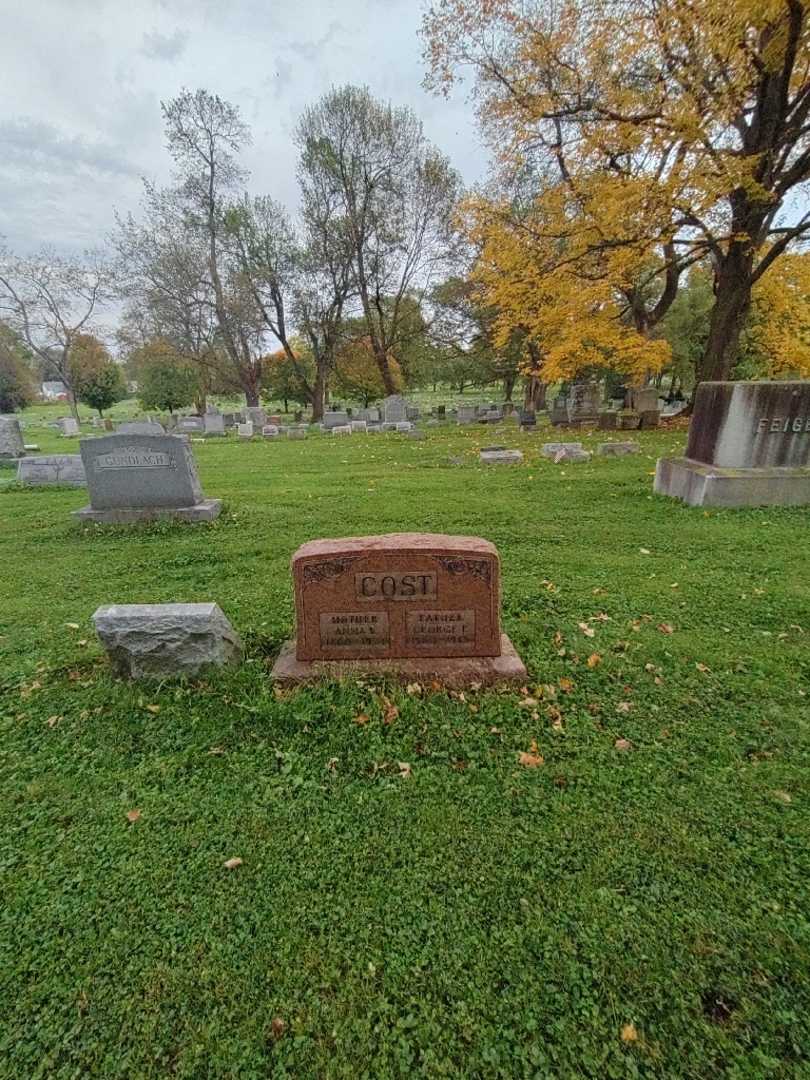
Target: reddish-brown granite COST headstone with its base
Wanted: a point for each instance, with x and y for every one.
(413, 606)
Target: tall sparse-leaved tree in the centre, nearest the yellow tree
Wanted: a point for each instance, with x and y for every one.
(396, 195)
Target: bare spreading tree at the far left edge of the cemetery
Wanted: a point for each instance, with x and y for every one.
(51, 302)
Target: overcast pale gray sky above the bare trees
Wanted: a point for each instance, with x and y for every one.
(82, 84)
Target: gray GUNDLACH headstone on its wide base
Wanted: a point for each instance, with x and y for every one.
(142, 478)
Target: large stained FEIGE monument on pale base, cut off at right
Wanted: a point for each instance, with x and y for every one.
(749, 447)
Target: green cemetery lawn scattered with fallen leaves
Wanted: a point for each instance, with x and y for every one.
(412, 900)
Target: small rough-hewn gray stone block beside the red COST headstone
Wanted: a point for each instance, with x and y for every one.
(159, 641)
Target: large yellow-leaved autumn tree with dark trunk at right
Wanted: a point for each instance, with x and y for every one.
(638, 138)
